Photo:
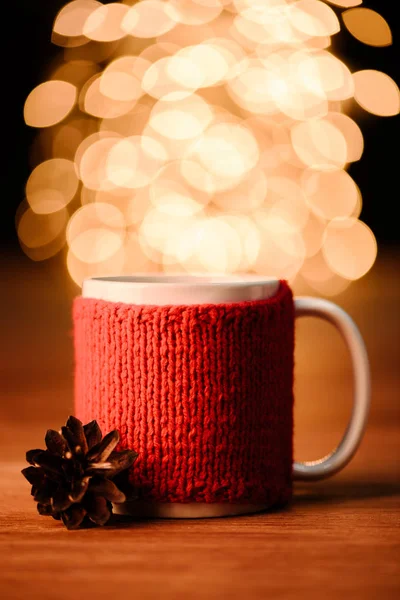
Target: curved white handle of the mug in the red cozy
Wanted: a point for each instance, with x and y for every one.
(340, 456)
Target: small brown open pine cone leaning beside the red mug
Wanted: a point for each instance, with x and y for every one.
(71, 480)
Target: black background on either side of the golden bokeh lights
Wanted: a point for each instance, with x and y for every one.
(27, 51)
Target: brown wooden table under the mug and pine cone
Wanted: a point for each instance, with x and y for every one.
(340, 537)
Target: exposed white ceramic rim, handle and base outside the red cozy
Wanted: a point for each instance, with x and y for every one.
(167, 290)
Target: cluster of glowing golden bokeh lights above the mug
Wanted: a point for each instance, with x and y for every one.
(204, 135)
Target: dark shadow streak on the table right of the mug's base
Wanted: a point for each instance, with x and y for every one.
(327, 492)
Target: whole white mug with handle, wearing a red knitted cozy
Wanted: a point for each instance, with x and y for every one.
(196, 373)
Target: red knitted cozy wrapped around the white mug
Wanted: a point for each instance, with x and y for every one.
(203, 393)
